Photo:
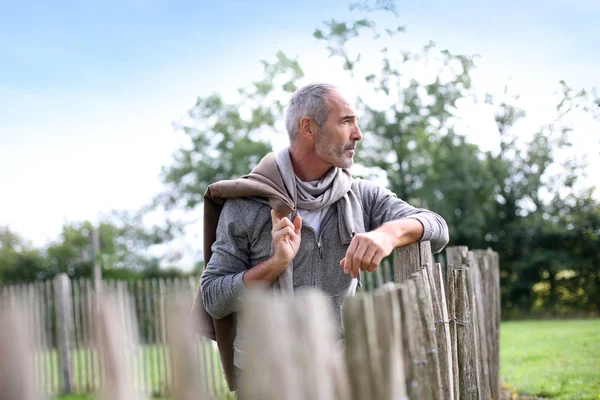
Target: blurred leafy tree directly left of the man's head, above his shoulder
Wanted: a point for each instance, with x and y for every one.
(226, 140)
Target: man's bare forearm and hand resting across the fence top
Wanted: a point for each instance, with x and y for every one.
(368, 249)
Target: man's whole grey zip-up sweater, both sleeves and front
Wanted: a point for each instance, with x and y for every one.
(244, 240)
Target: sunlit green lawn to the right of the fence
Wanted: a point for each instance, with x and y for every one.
(552, 359)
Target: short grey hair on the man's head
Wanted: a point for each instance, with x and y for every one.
(308, 101)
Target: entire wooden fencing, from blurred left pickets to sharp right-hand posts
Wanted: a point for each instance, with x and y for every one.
(415, 330)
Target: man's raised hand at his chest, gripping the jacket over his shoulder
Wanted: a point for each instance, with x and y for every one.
(286, 238)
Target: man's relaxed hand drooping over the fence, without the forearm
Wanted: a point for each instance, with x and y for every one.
(366, 252)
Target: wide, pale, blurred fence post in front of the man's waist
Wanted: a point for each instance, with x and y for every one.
(291, 329)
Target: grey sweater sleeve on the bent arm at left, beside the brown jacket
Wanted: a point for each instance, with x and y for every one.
(222, 279)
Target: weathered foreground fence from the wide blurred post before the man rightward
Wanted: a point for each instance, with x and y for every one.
(433, 333)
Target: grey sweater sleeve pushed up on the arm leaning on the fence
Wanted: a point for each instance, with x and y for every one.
(381, 206)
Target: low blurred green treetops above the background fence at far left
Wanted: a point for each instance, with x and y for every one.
(124, 243)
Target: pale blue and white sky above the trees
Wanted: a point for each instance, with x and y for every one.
(89, 90)
